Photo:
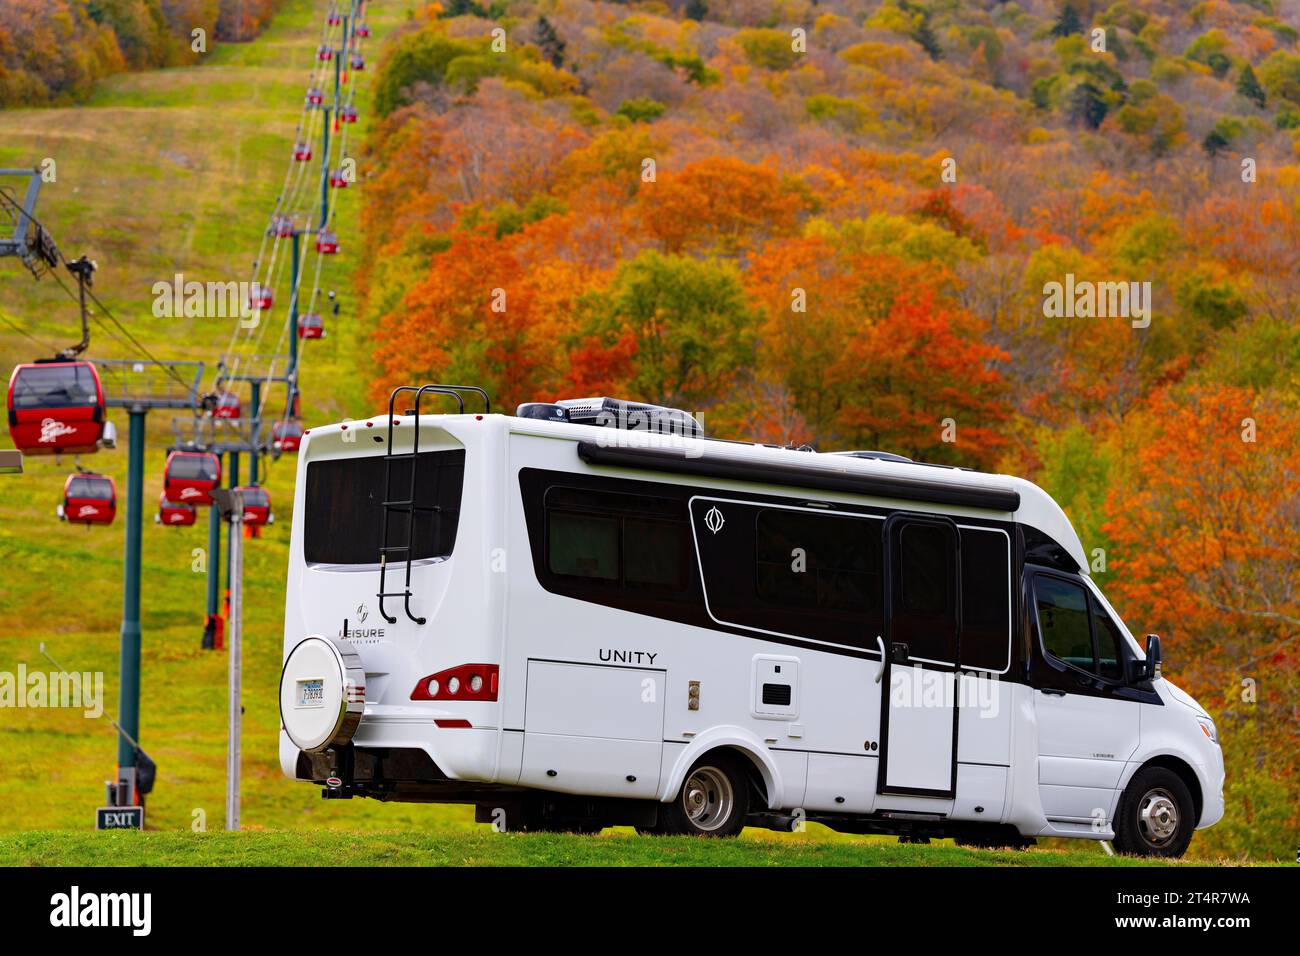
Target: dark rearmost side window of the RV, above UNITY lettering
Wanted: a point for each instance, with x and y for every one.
(617, 540)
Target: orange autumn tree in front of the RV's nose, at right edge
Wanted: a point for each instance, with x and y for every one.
(1206, 533)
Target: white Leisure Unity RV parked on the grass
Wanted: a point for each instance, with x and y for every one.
(574, 621)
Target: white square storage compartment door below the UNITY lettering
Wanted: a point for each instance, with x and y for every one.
(593, 730)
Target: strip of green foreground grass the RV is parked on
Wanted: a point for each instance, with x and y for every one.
(487, 849)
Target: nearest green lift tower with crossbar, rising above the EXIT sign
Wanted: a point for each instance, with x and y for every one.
(138, 387)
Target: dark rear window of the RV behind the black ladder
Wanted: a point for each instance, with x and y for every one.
(344, 508)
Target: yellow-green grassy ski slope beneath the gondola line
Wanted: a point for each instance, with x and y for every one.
(163, 172)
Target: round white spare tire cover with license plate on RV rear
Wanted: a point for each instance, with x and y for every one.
(322, 694)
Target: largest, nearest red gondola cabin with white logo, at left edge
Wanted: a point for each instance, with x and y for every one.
(57, 406)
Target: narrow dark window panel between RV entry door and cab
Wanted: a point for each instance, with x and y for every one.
(986, 600)
